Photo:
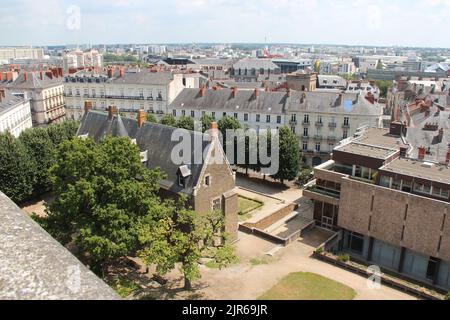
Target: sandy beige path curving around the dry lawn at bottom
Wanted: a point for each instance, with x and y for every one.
(245, 281)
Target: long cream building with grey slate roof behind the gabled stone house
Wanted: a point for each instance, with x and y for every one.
(319, 119)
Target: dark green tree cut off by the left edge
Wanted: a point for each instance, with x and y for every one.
(17, 169)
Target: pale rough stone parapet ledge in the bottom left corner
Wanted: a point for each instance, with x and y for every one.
(34, 266)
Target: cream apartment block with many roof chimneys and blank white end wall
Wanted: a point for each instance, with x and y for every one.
(129, 91)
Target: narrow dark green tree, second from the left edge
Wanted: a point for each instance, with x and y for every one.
(41, 150)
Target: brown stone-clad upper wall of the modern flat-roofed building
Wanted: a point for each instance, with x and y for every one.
(423, 223)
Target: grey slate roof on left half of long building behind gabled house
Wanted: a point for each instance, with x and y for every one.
(223, 100)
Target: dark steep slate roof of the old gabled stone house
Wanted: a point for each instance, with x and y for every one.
(154, 138)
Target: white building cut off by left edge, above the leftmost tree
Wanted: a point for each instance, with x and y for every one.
(15, 113)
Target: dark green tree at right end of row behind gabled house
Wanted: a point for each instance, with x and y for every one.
(289, 161)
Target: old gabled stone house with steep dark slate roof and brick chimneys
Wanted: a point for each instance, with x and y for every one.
(204, 176)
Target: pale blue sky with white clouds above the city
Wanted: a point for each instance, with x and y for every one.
(422, 23)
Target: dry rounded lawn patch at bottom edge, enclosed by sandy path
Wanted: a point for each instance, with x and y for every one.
(308, 286)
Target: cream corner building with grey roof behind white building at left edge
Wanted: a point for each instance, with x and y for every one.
(46, 91)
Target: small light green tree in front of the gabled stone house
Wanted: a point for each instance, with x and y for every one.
(183, 237)
